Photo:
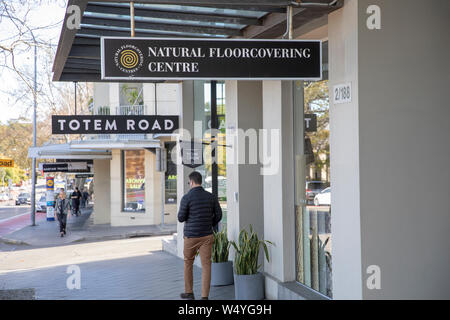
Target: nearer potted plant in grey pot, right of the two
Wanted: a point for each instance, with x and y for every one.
(248, 282)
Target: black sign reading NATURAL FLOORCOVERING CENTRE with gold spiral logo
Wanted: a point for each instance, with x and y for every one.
(182, 59)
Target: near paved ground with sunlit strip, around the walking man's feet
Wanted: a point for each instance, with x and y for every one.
(117, 269)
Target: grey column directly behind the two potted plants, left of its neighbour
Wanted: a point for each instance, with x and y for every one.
(243, 111)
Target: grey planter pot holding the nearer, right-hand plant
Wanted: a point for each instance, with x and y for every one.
(249, 287)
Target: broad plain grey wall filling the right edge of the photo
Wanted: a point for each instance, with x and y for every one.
(404, 131)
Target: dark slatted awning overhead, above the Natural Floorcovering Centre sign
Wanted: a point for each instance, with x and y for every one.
(78, 54)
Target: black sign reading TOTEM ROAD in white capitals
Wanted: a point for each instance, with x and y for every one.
(113, 124)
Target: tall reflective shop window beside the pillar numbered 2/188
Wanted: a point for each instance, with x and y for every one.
(313, 212)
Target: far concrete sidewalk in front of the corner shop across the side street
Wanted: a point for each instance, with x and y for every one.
(79, 229)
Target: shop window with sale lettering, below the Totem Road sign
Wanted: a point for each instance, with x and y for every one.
(134, 180)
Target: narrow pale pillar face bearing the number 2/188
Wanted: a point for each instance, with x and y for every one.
(344, 150)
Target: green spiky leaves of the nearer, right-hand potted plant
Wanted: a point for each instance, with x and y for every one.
(247, 252)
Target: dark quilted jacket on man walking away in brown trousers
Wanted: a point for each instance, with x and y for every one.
(200, 211)
